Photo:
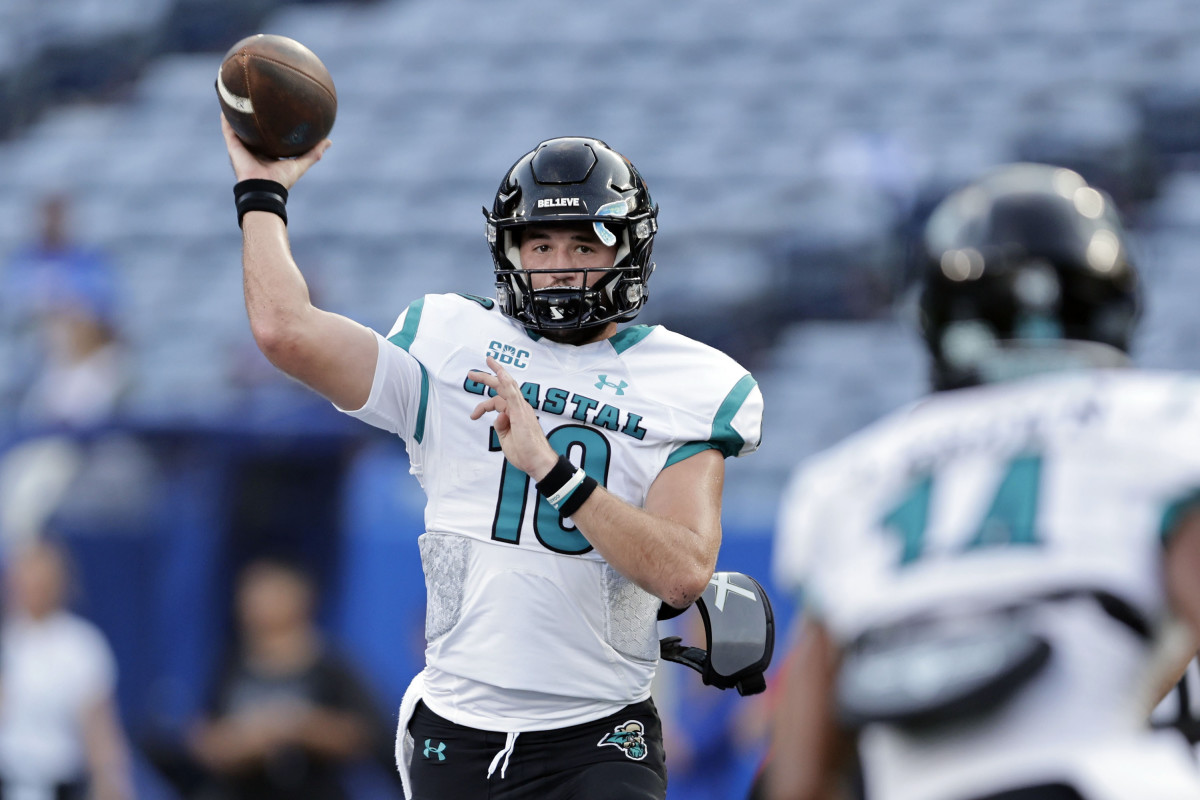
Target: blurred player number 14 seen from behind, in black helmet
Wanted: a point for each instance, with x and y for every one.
(988, 574)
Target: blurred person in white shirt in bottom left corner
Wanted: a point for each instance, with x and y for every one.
(61, 737)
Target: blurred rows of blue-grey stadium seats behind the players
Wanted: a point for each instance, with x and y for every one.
(788, 149)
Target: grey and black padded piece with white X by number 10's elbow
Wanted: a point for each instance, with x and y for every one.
(740, 628)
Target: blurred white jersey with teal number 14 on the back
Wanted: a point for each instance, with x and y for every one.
(982, 498)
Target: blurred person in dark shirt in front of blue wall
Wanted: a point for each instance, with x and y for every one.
(286, 715)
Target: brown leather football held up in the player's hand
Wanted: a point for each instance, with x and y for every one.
(278, 95)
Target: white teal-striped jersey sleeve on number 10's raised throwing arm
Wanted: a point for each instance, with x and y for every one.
(401, 387)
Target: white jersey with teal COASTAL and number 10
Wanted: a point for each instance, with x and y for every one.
(527, 627)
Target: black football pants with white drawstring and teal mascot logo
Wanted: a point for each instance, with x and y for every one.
(616, 759)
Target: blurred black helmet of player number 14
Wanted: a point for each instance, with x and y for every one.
(1027, 270)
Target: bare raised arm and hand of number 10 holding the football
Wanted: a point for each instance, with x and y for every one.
(332, 354)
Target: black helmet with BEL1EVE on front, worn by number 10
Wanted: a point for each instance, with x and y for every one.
(565, 181)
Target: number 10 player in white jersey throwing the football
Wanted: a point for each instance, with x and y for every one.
(574, 472)
